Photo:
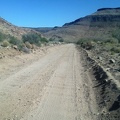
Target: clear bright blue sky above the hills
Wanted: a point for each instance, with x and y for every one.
(49, 13)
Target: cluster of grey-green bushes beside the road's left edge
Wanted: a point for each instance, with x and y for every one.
(28, 41)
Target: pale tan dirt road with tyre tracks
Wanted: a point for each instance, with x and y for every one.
(54, 87)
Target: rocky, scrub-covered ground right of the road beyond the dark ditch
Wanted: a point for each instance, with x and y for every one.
(106, 52)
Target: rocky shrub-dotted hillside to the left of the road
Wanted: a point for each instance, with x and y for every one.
(20, 38)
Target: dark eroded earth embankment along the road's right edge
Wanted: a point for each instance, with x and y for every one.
(106, 88)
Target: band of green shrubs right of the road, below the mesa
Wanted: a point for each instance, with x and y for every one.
(111, 45)
